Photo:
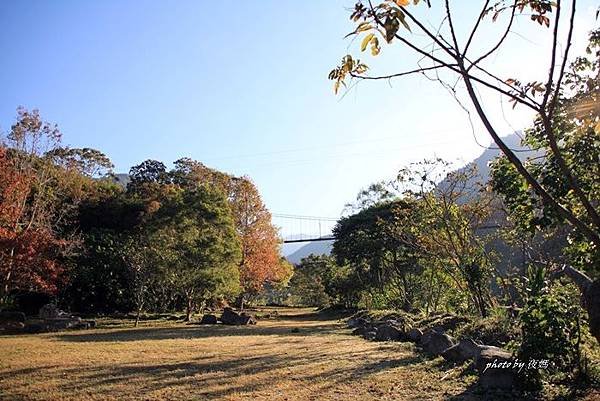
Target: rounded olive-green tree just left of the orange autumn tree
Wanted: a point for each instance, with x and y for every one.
(200, 249)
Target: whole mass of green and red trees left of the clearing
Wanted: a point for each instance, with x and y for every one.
(173, 239)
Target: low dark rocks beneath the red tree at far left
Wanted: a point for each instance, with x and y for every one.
(50, 319)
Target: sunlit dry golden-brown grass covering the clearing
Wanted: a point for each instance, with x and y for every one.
(299, 356)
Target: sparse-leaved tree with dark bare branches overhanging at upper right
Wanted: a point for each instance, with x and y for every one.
(393, 22)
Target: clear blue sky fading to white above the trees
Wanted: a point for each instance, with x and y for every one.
(242, 86)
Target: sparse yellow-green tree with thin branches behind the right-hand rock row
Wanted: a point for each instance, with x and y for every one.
(452, 205)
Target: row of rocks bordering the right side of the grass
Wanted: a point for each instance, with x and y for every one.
(434, 341)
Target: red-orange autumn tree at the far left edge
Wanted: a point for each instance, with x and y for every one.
(39, 199)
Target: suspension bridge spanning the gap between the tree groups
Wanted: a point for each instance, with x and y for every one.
(295, 228)
